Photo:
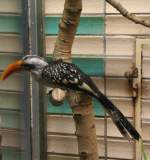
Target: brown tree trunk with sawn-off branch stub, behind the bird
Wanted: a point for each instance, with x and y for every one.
(81, 104)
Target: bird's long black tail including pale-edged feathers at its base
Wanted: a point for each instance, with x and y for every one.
(124, 126)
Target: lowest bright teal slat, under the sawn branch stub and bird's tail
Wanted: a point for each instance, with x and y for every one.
(65, 108)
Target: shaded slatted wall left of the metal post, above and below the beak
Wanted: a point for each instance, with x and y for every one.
(11, 123)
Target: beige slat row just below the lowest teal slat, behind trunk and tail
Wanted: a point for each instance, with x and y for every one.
(65, 125)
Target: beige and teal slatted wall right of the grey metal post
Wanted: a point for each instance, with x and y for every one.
(89, 44)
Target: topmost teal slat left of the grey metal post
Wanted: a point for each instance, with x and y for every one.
(11, 24)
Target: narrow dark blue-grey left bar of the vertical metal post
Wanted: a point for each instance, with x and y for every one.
(26, 103)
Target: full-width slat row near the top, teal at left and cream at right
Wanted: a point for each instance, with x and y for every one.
(88, 25)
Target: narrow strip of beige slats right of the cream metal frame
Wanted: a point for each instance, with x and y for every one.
(146, 96)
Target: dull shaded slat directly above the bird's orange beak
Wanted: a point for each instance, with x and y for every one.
(6, 59)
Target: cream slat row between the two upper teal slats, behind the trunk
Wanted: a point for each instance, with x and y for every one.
(94, 45)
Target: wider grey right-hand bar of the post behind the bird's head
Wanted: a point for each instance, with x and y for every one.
(38, 107)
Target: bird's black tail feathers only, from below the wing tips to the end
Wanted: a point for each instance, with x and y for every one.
(124, 126)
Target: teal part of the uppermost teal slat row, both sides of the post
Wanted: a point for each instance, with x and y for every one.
(87, 26)
